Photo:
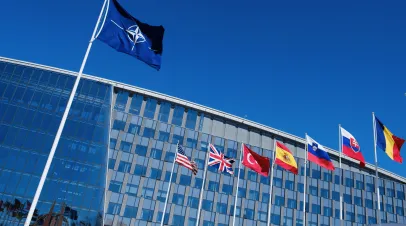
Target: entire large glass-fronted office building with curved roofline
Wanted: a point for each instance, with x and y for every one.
(113, 163)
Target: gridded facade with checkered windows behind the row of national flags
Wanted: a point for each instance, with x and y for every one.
(144, 135)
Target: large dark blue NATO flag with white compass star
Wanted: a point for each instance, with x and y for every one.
(126, 34)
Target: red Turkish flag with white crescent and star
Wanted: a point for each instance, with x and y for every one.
(258, 163)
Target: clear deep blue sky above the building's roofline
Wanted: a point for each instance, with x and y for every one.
(297, 66)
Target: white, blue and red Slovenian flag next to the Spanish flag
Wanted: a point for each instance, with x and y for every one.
(318, 154)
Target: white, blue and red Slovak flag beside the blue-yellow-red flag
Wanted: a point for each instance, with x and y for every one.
(350, 147)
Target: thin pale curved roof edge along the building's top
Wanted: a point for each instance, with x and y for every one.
(199, 108)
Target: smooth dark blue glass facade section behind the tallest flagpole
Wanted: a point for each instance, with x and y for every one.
(32, 102)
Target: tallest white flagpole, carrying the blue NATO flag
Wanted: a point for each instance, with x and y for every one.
(61, 126)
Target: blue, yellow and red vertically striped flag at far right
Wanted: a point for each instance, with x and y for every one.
(388, 142)
